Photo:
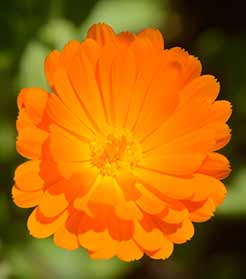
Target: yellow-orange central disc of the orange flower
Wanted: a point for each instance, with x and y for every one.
(118, 149)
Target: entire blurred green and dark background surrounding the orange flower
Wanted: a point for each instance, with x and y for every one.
(216, 34)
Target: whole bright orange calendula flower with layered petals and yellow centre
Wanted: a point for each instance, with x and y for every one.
(123, 152)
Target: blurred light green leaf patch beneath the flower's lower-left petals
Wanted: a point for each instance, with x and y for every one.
(43, 260)
